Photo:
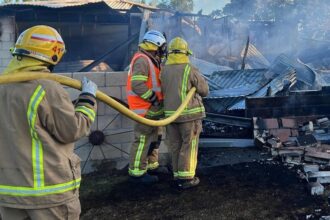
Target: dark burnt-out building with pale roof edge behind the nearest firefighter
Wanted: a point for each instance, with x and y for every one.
(102, 33)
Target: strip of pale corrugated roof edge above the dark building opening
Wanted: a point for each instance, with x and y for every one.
(114, 4)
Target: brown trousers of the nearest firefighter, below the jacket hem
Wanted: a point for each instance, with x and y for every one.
(67, 211)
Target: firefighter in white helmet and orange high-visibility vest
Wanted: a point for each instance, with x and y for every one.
(145, 98)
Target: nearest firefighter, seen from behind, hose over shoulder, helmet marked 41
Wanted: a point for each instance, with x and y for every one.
(39, 172)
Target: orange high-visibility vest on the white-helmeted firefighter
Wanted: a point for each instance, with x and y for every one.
(139, 102)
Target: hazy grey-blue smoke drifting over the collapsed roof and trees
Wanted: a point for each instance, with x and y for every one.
(298, 28)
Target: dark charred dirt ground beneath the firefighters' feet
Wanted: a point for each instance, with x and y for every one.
(260, 189)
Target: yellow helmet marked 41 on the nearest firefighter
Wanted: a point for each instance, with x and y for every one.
(40, 42)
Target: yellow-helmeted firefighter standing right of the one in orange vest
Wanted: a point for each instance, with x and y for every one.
(178, 77)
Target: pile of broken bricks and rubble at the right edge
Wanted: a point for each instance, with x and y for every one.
(299, 141)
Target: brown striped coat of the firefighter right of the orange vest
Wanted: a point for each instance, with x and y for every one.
(177, 80)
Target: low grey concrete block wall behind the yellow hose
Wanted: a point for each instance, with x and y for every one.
(119, 131)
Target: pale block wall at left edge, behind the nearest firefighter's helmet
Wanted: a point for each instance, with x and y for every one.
(7, 40)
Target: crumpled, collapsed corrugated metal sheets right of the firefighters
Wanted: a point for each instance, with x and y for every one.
(229, 88)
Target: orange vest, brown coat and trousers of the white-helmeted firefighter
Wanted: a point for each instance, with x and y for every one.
(144, 80)
